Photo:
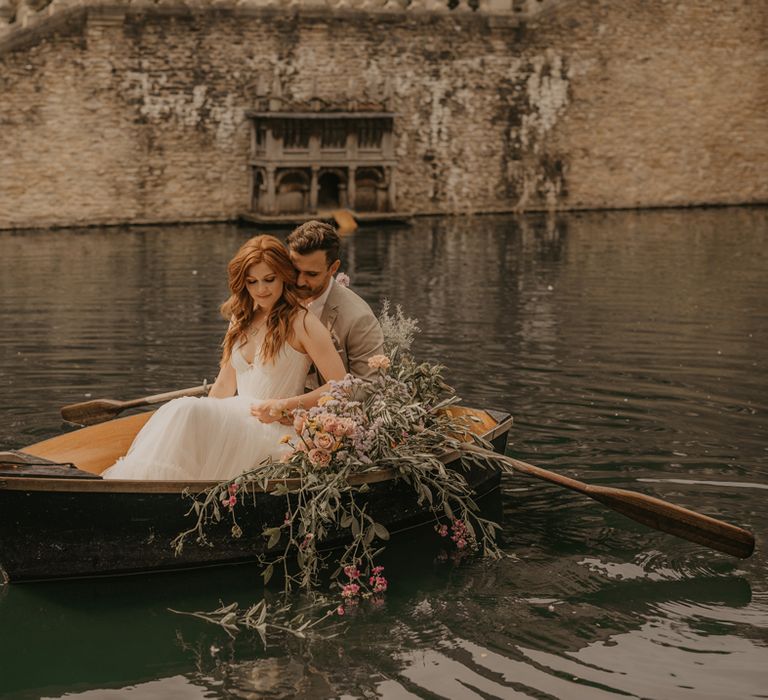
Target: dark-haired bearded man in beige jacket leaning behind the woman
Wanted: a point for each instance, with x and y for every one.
(314, 250)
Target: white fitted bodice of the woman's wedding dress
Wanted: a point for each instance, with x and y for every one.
(279, 378)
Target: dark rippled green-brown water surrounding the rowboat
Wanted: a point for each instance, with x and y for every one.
(631, 348)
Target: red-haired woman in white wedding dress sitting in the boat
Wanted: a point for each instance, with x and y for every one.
(268, 349)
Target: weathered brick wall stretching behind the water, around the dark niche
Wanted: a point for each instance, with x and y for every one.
(136, 112)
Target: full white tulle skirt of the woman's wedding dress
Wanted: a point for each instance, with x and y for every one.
(200, 439)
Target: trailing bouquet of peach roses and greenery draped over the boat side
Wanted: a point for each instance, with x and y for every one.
(395, 421)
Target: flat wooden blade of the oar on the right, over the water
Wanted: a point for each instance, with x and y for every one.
(677, 520)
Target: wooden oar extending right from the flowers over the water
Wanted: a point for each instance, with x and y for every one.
(650, 511)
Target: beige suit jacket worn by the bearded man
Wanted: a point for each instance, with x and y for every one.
(355, 331)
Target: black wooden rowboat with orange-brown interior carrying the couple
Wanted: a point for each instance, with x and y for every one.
(60, 519)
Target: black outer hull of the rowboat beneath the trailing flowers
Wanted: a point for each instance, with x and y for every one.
(84, 527)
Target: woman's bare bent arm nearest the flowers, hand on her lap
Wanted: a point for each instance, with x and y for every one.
(315, 340)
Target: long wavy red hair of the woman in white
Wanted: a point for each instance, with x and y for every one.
(239, 307)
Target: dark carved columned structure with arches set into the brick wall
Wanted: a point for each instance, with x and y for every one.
(306, 162)
